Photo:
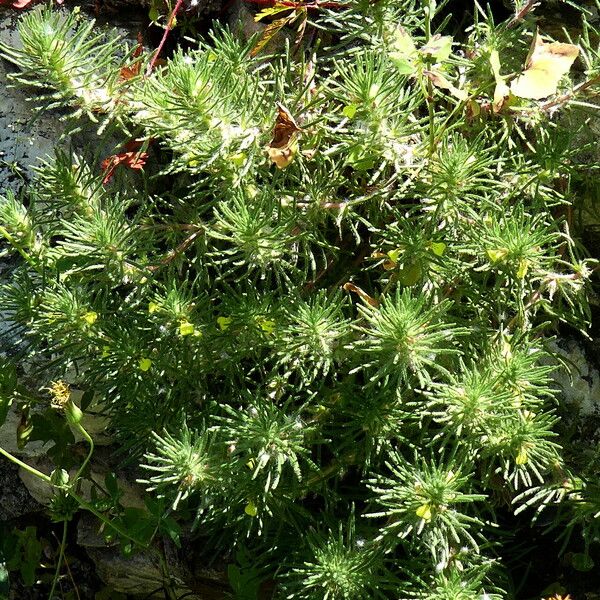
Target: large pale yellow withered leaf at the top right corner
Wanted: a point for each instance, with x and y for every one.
(545, 66)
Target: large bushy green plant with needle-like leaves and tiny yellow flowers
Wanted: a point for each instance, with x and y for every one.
(322, 287)
